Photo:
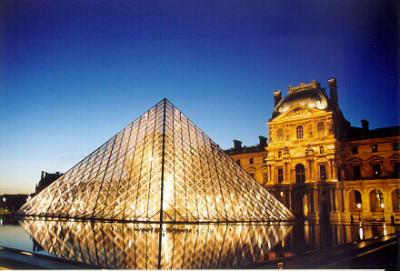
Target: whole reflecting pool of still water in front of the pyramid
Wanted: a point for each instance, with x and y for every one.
(178, 246)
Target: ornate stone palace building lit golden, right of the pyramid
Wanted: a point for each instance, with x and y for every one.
(320, 166)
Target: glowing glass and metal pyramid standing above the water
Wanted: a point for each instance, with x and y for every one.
(161, 167)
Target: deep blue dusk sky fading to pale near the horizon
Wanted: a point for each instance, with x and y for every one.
(73, 73)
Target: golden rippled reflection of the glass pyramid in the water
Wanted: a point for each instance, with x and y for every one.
(139, 246)
